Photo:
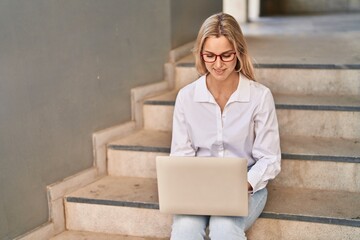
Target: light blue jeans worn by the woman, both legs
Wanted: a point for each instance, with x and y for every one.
(191, 227)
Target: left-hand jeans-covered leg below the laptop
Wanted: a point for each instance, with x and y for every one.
(189, 227)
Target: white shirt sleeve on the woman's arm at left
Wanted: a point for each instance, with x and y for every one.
(181, 142)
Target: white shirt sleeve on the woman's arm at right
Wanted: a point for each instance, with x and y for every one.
(266, 148)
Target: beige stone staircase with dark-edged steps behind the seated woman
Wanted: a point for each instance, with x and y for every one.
(316, 195)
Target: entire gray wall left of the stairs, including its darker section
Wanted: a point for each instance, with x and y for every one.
(66, 70)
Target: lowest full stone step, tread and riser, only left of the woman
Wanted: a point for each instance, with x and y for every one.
(117, 205)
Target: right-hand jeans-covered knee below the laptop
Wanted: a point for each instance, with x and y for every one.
(226, 228)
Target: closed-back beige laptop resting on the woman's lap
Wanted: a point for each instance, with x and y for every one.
(202, 185)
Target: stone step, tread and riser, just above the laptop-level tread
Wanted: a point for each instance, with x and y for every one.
(312, 162)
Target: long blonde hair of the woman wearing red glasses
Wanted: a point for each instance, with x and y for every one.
(222, 24)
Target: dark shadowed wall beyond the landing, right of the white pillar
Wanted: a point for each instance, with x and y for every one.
(274, 7)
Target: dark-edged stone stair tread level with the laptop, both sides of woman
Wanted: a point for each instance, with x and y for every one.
(302, 204)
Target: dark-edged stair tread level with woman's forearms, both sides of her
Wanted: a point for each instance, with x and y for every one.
(293, 147)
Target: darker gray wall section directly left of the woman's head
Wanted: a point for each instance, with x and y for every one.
(187, 17)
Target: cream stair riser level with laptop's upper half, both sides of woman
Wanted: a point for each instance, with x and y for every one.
(321, 175)
